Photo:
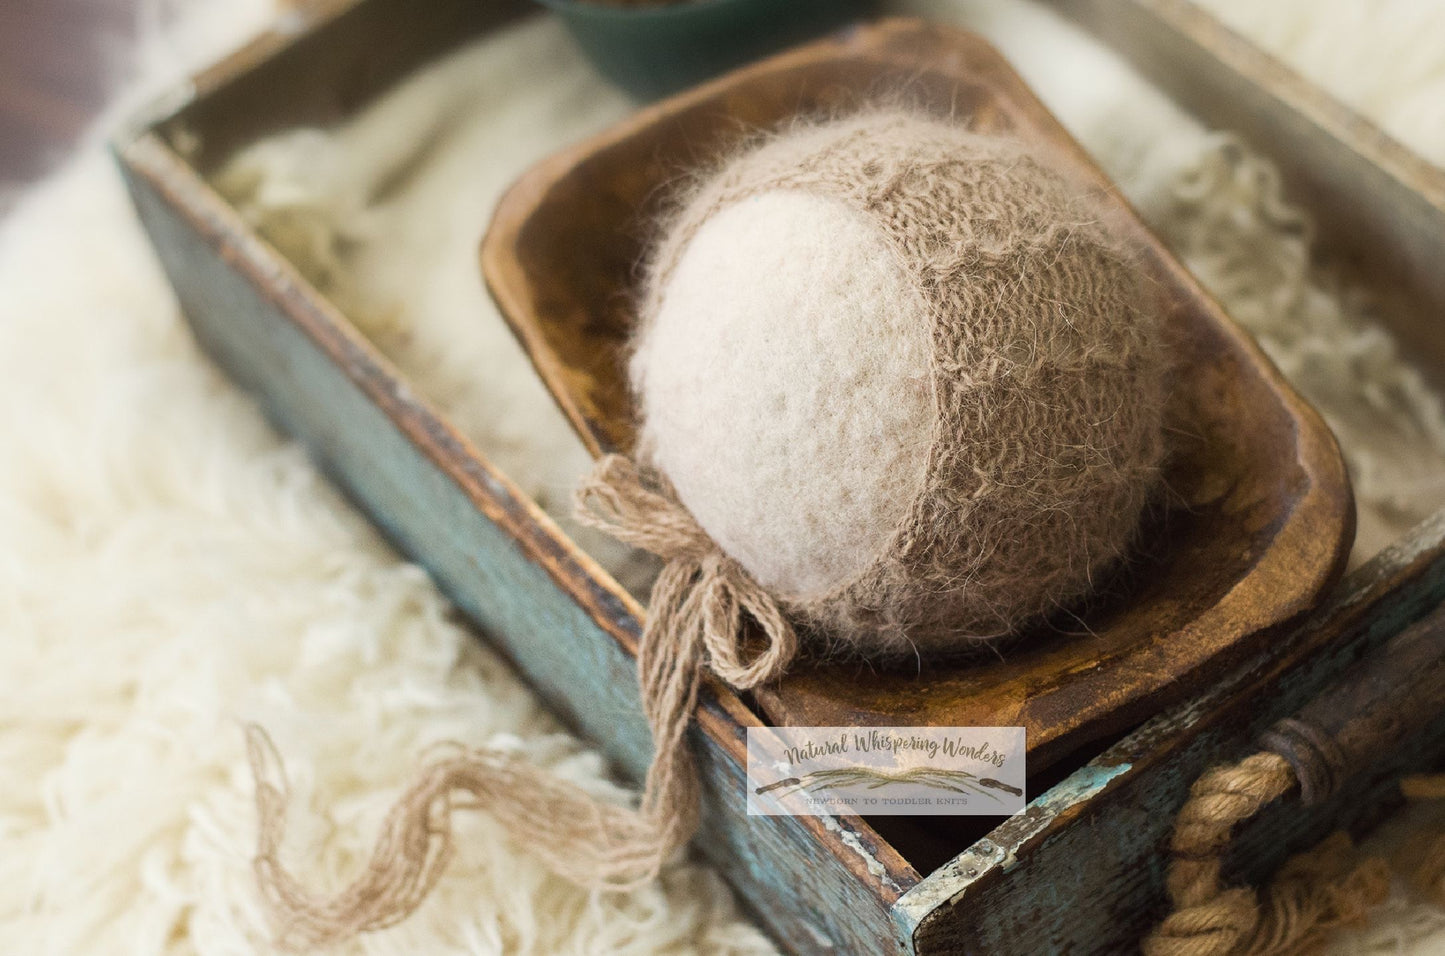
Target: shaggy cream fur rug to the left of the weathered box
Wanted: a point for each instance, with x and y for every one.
(171, 568)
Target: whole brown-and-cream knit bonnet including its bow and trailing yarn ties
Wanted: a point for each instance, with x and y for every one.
(898, 383)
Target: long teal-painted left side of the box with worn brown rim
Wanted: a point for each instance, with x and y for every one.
(784, 867)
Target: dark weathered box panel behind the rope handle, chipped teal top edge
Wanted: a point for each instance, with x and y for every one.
(1083, 869)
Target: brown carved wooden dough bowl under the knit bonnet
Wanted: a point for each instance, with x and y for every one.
(1259, 519)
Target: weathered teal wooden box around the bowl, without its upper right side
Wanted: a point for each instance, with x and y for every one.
(1082, 870)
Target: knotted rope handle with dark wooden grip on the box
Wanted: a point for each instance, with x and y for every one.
(1395, 692)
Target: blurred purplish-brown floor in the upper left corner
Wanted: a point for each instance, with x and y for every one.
(59, 60)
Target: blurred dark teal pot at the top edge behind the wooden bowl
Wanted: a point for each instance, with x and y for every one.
(658, 50)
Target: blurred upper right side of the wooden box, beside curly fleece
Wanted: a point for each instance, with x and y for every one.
(1379, 206)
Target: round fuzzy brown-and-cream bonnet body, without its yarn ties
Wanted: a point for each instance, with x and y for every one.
(905, 376)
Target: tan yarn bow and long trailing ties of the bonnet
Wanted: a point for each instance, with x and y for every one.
(696, 620)
